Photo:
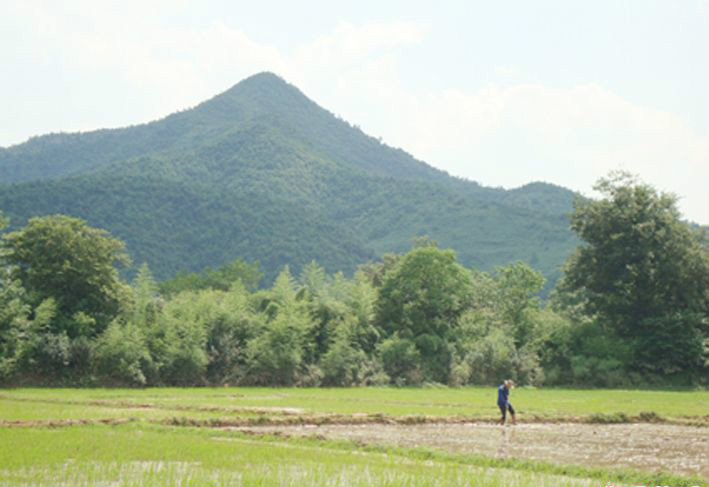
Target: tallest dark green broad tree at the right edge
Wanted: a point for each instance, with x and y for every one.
(643, 273)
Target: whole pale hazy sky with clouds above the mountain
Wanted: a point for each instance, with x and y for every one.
(503, 93)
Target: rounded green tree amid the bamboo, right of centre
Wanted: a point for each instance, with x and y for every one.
(421, 300)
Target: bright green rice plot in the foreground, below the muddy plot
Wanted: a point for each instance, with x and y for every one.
(126, 455)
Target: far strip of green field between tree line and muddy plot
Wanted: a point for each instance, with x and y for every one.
(476, 402)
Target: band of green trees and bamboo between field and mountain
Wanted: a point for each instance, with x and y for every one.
(631, 308)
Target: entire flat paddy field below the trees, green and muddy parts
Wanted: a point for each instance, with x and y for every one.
(352, 437)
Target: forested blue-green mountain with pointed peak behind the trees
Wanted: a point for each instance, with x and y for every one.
(263, 173)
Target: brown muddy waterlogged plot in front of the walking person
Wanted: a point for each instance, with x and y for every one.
(682, 450)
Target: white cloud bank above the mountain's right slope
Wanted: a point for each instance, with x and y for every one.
(509, 136)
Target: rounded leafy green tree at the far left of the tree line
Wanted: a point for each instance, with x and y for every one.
(63, 258)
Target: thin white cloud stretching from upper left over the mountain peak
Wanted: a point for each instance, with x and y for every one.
(157, 67)
